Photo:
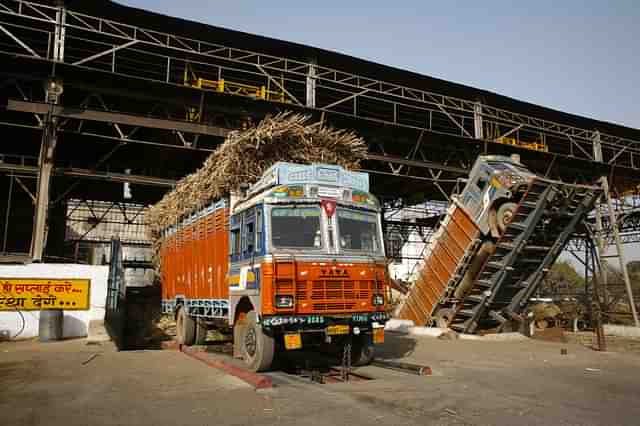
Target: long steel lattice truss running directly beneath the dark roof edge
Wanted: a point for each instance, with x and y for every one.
(42, 32)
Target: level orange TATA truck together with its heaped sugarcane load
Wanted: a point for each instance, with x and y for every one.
(277, 239)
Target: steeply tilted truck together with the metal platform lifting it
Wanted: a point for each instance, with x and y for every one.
(496, 242)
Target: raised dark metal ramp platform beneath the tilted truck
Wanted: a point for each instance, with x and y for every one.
(544, 220)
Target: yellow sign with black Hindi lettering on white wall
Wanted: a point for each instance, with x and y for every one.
(37, 293)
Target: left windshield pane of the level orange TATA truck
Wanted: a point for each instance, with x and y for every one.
(296, 227)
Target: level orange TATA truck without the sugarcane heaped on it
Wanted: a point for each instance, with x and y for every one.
(294, 261)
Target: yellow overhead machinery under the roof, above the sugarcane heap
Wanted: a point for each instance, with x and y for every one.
(225, 86)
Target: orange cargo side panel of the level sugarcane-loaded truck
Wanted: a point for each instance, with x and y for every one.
(194, 260)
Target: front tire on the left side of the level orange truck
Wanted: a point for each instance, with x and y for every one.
(257, 348)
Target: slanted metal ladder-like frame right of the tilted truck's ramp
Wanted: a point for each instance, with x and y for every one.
(603, 248)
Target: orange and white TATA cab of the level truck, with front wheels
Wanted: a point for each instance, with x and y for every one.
(307, 263)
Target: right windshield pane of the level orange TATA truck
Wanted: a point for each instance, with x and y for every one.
(358, 231)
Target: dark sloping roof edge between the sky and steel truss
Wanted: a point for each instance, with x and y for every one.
(241, 40)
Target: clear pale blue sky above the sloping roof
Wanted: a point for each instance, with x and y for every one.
(576, 56)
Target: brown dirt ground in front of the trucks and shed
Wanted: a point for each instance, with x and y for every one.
(474, 383)
